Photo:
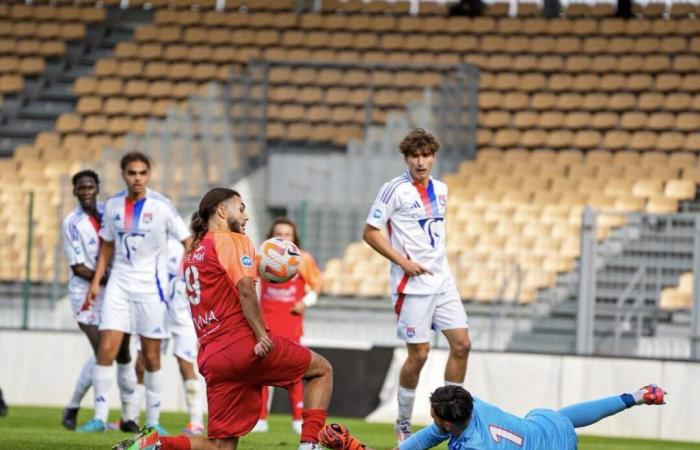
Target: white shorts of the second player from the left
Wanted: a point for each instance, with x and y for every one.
(125, 309)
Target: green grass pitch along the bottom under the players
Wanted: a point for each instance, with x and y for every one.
(39, 428)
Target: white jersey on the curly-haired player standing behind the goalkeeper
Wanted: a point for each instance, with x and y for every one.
(414, 216)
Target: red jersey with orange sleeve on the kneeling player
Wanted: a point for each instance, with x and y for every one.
(212, 271)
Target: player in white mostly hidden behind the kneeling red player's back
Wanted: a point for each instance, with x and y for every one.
(184, 341)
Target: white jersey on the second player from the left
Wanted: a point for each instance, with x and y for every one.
(140, 231)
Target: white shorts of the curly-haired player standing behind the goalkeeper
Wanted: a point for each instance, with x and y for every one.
(418, 314)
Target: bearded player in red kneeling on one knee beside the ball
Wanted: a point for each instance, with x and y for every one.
(238, 356)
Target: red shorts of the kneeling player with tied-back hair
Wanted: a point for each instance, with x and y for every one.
(235, 378)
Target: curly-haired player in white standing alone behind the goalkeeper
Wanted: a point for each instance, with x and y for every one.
(412, 208)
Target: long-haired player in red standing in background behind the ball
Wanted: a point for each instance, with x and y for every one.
(283, 306)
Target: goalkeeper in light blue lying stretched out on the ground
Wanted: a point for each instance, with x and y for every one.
(470, 424)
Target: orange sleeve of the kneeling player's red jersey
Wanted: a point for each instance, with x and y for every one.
(236, 255)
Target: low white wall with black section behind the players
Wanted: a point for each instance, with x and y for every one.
(40, 368)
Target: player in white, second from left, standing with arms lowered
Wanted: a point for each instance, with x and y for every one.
(135, 228)
